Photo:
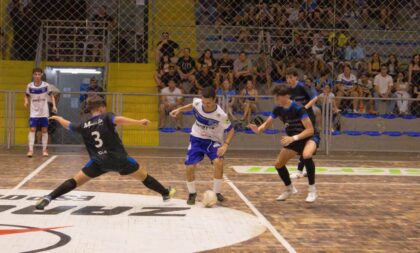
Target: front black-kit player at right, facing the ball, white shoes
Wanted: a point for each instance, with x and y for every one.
(299, 140)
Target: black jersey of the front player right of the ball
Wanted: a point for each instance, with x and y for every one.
(292, 117)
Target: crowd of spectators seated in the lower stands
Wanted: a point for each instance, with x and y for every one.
(346, 73)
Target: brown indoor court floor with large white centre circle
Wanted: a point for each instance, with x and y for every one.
(354, 213)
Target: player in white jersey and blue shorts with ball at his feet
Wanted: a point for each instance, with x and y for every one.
(206, 138)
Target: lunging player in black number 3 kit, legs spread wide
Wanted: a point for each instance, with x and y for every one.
(106, 152)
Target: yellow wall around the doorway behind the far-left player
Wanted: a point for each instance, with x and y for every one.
(14, 75)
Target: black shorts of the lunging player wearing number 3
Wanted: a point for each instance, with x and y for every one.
(93, 169)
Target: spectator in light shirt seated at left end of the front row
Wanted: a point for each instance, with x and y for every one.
(171, 99)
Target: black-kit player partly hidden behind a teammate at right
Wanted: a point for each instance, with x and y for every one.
(303, 96)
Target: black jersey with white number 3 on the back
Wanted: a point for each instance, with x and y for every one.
(101, 139)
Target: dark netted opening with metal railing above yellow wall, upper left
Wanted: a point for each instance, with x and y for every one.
(82, 30)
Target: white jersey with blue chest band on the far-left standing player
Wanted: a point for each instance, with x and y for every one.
(38, 97)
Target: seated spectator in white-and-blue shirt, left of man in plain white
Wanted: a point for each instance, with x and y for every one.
(346, 87)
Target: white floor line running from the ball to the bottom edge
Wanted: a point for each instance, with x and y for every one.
(261, 217)
